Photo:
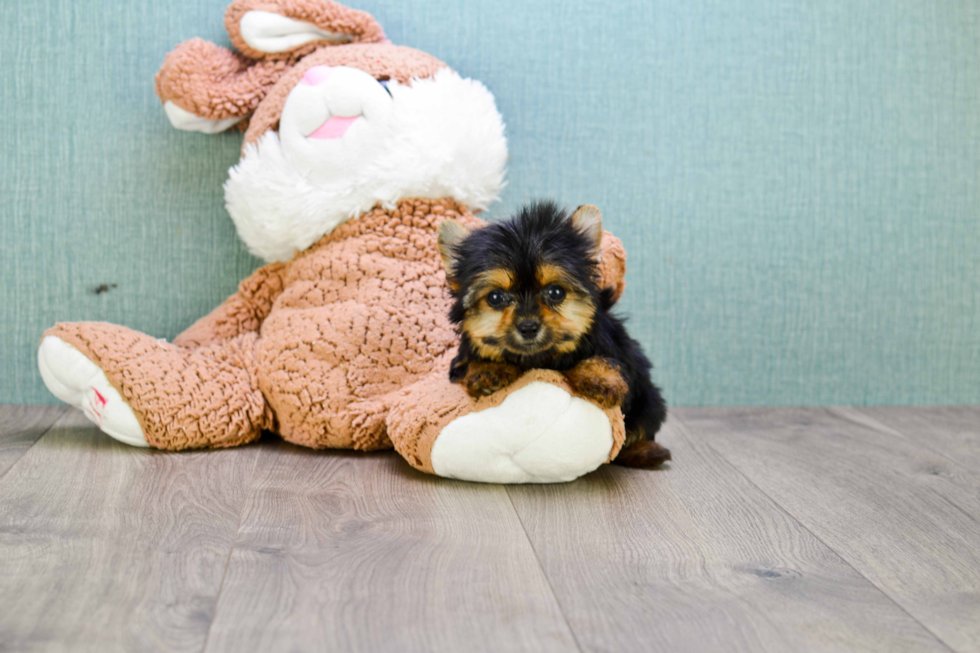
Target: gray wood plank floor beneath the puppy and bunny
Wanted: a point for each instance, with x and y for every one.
(774, 529)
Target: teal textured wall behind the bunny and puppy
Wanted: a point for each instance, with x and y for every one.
(796, 182)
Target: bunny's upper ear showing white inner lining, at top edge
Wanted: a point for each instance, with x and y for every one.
(288, 29)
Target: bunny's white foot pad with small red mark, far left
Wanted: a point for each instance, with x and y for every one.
(77, 381)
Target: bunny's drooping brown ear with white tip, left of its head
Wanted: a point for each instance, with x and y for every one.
(207, 88)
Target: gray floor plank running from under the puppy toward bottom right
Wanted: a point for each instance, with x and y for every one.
(695, 558)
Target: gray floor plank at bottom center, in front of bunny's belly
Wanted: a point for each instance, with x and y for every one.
(342, 551)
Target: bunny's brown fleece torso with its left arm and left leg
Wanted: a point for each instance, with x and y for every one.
(314, 348)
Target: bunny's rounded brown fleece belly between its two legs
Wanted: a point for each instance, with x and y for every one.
(322, 369)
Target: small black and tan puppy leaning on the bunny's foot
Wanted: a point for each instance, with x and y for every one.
(526, 296)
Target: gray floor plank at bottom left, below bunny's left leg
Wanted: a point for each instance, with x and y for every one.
(106, 547)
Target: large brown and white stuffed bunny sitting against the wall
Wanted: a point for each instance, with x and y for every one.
(355, 150)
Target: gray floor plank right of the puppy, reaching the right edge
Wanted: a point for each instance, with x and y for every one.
(901, 514)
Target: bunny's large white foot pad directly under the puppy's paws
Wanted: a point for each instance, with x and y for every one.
(538, 434)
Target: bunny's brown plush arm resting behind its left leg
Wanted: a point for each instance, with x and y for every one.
(241, 313)
